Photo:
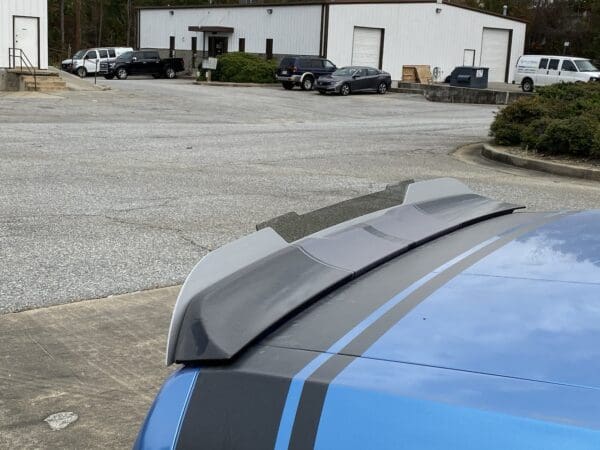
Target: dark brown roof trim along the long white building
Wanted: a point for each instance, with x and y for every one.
(332, 2)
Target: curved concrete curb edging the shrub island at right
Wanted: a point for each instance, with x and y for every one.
(494, 153)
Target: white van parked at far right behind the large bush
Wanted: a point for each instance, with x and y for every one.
(541, 70)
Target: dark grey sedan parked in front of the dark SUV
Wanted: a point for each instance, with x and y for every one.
(355, 79)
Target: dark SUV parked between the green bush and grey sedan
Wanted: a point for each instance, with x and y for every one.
(302, 71)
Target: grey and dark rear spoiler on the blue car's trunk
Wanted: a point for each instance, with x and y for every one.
(245, 289)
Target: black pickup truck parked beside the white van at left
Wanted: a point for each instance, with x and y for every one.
(144, 62)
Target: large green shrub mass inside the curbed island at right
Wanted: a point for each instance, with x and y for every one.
(562, 119)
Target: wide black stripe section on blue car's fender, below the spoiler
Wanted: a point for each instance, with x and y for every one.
(239, 405)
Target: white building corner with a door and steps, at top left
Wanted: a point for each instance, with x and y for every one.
(24, 26)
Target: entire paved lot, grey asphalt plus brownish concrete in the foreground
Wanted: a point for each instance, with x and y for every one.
(111, 192)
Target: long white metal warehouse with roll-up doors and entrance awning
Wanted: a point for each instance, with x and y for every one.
(381, 33)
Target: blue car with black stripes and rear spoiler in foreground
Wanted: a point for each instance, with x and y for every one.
(445, 320)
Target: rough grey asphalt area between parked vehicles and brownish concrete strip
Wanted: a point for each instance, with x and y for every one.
(108, 192)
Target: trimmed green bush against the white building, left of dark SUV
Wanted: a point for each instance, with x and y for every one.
(244, 68)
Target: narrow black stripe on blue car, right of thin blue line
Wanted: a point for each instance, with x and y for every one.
(304, 431)
